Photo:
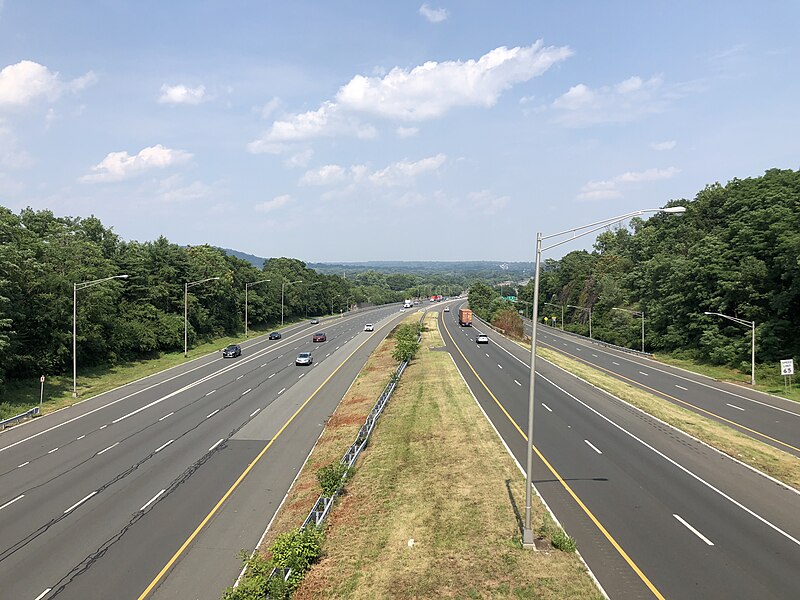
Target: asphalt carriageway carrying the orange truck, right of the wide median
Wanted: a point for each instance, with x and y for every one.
(655, 514)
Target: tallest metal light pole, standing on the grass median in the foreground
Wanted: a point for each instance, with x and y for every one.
(527, 531)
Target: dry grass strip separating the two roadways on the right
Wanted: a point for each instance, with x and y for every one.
(780, 465)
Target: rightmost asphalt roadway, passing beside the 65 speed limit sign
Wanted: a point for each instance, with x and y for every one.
(773, 420)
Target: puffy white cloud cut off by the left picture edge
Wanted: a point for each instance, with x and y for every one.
(26, 81)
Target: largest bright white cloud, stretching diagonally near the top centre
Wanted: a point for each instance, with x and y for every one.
(432, 89)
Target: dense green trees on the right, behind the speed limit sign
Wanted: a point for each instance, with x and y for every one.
(736, 251)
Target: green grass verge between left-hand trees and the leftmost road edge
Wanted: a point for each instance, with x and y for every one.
(20, 396)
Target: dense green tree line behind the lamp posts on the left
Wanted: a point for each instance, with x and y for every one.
(42, 256)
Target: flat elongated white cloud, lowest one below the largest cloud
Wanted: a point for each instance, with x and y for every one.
(401, 173)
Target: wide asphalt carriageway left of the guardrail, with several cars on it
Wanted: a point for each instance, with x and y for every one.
(139, 492)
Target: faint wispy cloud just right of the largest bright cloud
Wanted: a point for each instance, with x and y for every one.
(625, 101)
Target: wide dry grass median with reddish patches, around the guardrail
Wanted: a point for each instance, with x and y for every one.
(435, 473)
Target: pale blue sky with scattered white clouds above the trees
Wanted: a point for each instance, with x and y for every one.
(387, 130)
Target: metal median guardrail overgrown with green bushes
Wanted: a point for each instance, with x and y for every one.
(294, 552)
